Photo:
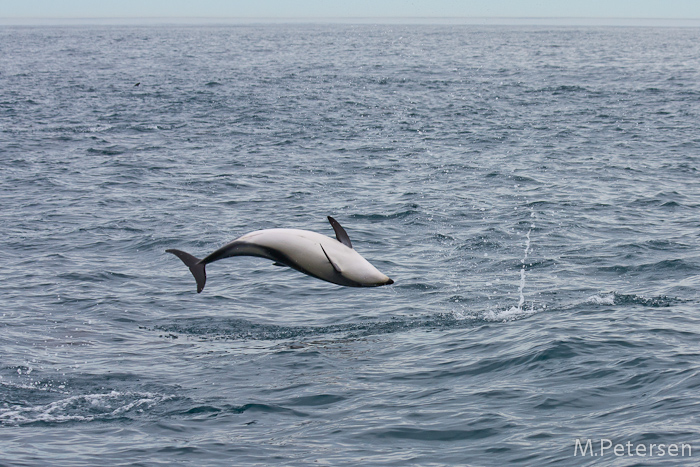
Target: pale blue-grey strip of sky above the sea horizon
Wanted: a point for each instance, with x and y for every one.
(299, 9)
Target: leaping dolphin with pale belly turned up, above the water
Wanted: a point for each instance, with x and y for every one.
(319, 256)
